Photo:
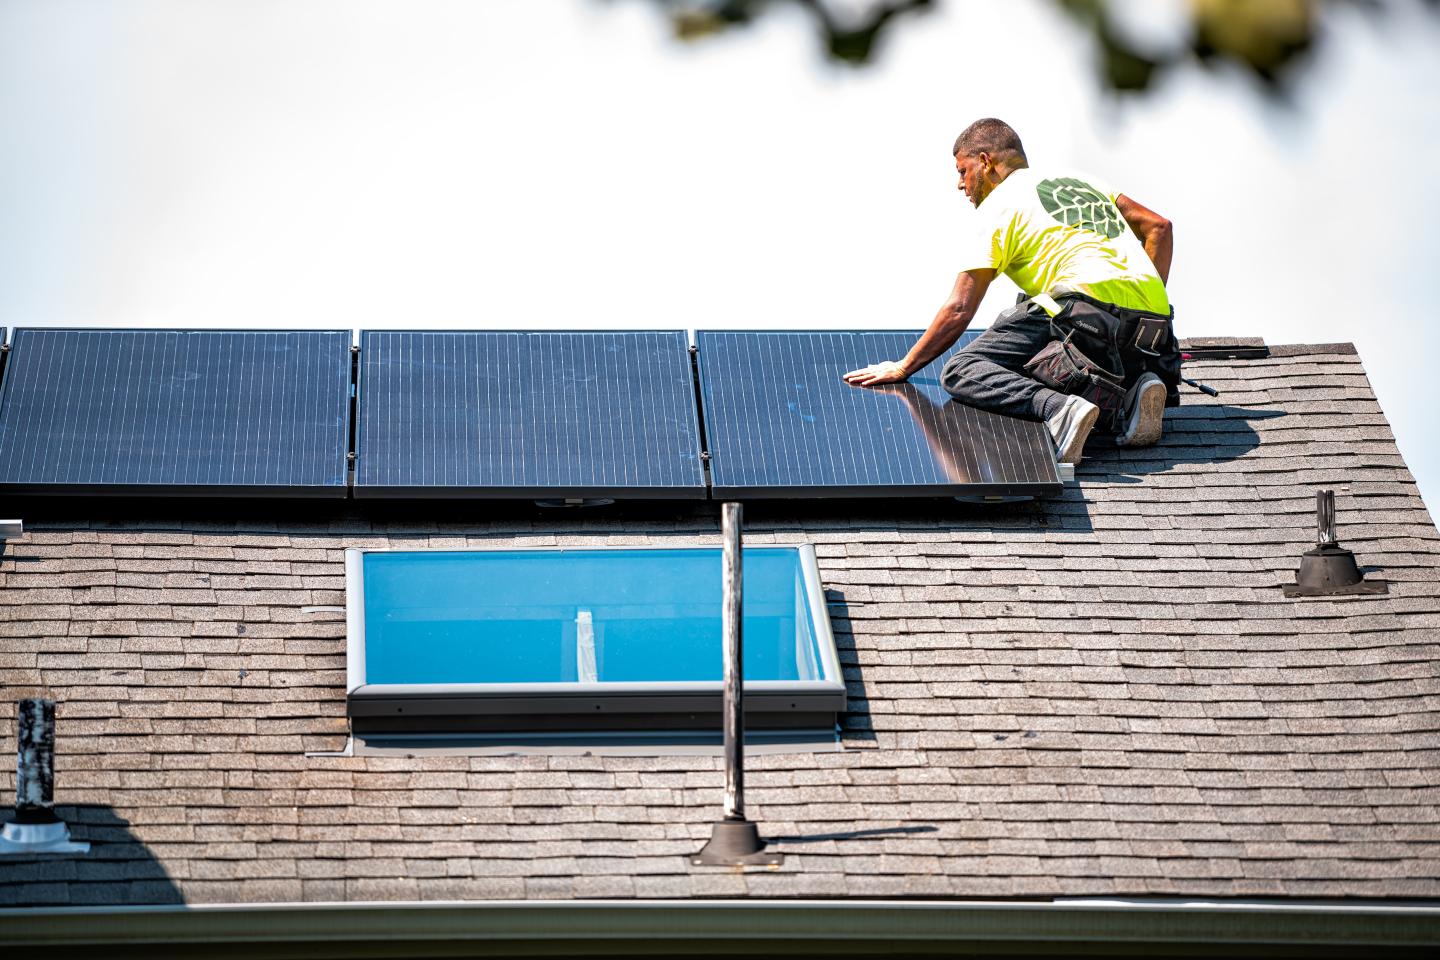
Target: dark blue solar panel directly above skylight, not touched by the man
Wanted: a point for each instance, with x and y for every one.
(558, 415)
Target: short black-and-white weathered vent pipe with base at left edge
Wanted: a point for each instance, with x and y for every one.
(35, 828)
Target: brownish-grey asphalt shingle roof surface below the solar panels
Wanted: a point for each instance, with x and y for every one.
(1105, 694)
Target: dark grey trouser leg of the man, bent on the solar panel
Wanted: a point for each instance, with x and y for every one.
(987, 375)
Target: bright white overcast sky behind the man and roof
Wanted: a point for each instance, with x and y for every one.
(570, 165)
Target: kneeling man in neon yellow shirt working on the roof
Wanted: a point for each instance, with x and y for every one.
(1092, 263)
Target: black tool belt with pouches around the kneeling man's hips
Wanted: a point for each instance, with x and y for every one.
(1099, 346)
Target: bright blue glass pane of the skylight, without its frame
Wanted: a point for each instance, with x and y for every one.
(526, 617)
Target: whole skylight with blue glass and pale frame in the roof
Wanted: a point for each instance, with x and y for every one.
(582, 641)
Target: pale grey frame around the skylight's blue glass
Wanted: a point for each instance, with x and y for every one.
(597, 706)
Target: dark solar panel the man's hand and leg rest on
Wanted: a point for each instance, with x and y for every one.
(781, 422)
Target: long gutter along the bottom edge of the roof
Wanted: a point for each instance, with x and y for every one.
(801, 928)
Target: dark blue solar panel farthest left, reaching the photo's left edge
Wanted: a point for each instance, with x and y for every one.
(161, 412)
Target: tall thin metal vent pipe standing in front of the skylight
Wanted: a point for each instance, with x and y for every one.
(734, 840)
